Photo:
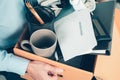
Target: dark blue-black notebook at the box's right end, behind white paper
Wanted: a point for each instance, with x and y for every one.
(102, 19)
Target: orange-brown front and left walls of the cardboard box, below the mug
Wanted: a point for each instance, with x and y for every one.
(70, 73)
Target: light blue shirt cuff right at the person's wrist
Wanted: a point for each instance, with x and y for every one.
(18, 65)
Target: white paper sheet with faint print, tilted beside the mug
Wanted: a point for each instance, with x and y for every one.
(75, 34)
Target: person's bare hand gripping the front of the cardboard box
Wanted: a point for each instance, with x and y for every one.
(42, 71)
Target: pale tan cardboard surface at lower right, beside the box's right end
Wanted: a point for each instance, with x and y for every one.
(108, 67)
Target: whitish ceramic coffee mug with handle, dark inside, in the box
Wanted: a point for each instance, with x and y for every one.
(43, 42)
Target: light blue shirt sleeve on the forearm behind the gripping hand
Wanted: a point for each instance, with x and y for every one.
(12, 63)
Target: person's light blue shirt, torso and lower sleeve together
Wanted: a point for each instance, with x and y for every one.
(12, 19)
